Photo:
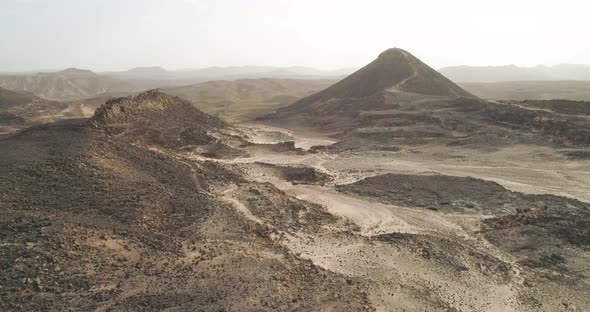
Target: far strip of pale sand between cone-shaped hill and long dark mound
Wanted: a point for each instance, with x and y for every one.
(527, 169)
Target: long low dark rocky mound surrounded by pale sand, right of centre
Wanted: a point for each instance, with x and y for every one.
(451, 194)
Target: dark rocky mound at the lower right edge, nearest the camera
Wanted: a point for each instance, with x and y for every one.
(551, 243)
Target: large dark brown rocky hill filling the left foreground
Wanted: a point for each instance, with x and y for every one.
(105, 215)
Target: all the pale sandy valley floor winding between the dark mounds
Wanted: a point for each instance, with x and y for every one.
(399, 279)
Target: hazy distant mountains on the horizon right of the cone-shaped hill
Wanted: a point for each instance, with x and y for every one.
(515, 73)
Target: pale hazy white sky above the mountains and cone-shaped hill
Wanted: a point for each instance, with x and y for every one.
(121, 34)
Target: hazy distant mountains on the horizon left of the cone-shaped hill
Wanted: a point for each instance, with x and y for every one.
(74, 83)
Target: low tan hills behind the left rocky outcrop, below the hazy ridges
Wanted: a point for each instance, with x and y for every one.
(239, 100)
